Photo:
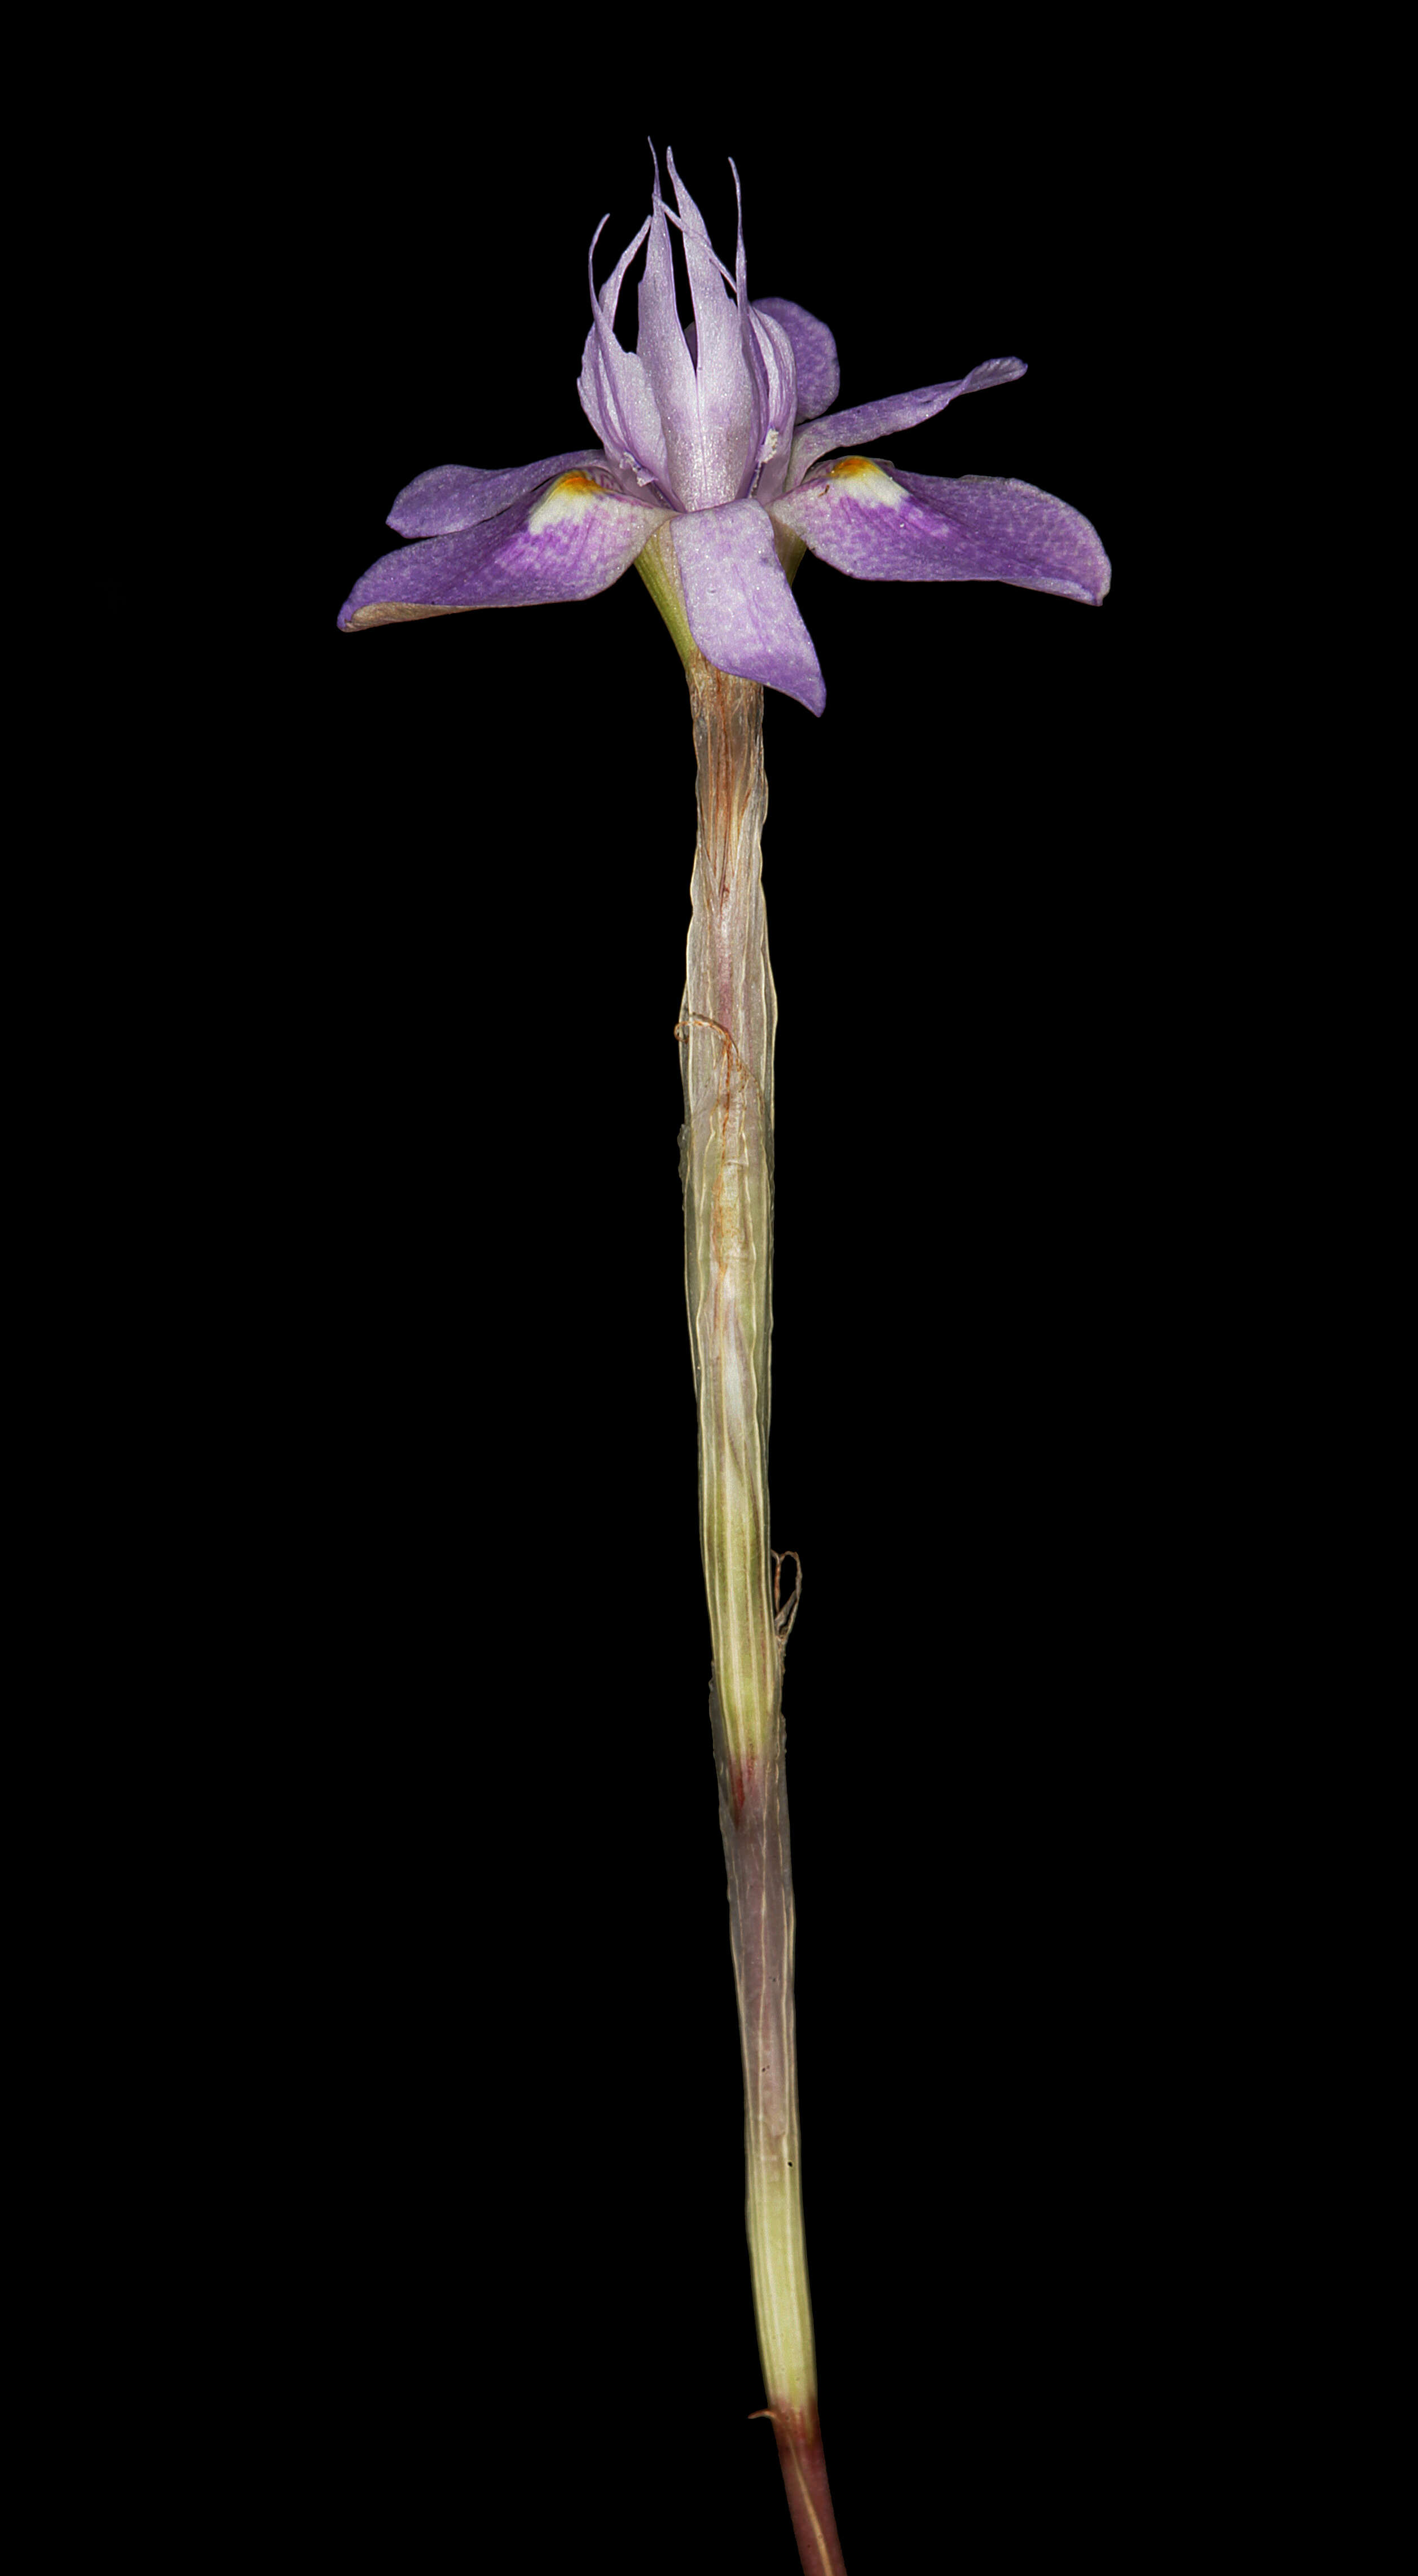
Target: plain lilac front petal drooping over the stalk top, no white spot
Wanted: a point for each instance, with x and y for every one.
(740, 607)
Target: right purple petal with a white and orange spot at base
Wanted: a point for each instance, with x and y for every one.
(928, 529)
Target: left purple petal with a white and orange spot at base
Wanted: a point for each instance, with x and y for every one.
(567, 545)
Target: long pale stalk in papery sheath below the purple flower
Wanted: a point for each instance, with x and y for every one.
(727, 1027)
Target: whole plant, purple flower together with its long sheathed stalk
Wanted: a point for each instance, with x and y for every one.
(714, 475)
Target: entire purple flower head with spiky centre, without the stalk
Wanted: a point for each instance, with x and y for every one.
(722, 437)
